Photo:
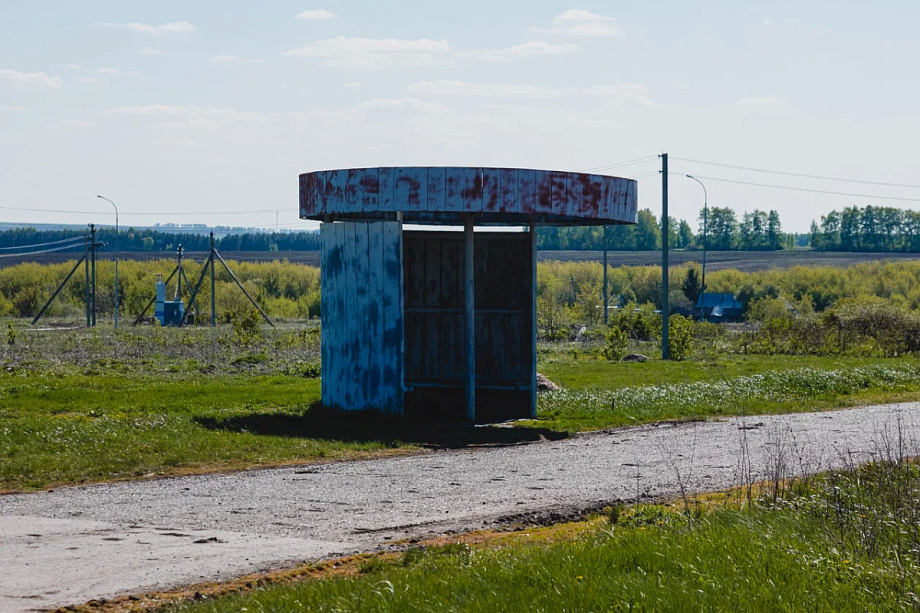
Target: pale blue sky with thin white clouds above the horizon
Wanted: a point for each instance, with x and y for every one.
(207, 112)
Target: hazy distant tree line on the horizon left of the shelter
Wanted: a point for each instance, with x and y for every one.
(155, 240)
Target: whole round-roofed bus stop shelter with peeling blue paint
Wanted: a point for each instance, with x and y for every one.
(441, 324)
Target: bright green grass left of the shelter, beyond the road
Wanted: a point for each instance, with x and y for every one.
(78, 428)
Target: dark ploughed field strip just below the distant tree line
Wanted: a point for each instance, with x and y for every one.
(747, 261)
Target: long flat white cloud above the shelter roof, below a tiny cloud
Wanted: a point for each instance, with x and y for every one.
(373, 53)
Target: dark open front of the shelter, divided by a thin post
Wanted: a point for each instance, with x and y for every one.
(435, 343)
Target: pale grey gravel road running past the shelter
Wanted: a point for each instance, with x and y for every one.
(80, 543)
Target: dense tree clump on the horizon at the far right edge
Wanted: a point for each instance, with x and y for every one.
(872, 228)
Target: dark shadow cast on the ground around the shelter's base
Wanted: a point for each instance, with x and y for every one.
(356, 427)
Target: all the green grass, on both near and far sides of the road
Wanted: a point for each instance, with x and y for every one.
(83, 409)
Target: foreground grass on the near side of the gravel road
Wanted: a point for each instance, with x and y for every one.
(847, 541)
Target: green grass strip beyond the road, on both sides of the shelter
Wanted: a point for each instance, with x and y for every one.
(65, 425)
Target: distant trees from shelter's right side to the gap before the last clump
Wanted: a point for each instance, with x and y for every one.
(755, 231)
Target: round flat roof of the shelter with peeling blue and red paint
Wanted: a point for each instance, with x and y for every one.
(447, 195)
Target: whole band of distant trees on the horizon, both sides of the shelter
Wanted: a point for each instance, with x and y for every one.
(878, 229)
